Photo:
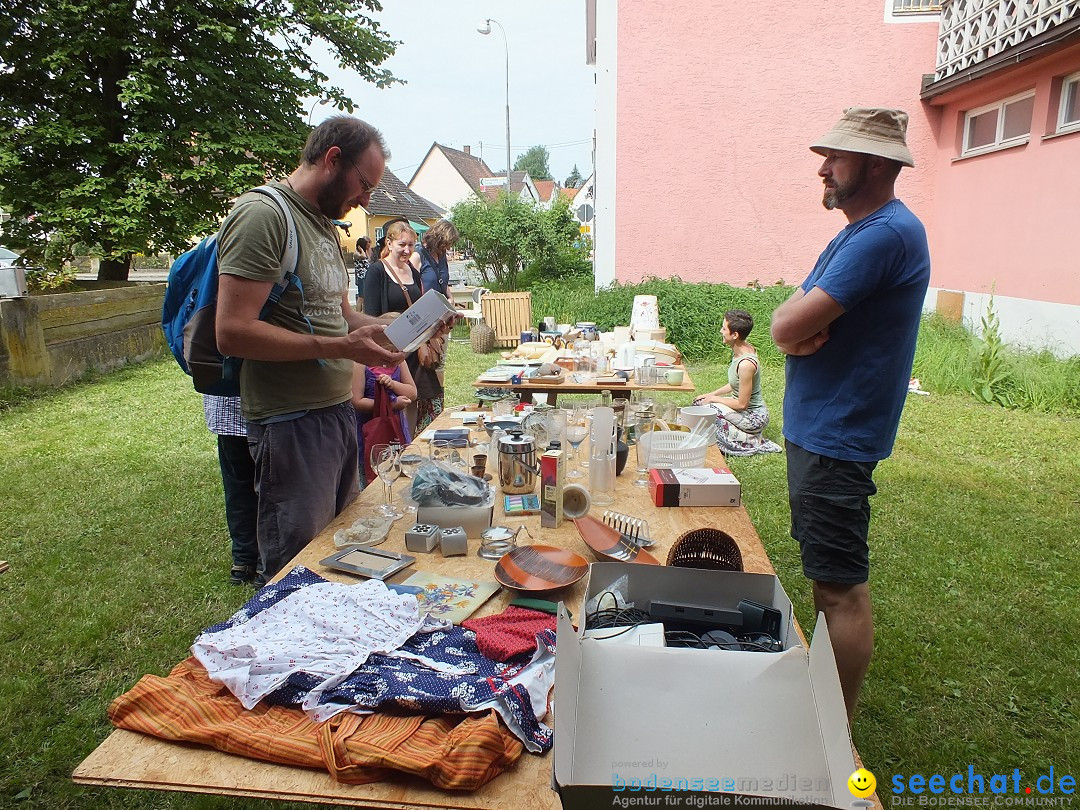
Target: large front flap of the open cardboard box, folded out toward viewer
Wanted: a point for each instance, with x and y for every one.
(672, 714)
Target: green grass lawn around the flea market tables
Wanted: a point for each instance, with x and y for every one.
(112, 519)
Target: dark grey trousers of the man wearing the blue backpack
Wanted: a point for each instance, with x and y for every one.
(306, 472)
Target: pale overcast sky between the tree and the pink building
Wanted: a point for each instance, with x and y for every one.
(456, 83)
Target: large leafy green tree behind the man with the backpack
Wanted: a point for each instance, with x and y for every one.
(130, 127)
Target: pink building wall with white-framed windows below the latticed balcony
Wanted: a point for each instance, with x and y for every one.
(1008, 219)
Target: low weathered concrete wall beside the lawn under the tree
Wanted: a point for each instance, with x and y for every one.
(50, 340)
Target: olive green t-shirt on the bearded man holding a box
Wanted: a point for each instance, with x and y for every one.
(251, 242)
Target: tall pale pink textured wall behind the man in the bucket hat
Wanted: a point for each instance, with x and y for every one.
(715, 109)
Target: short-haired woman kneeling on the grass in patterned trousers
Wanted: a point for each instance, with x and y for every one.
(741, 411)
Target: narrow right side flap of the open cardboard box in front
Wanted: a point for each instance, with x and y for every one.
(832, 713)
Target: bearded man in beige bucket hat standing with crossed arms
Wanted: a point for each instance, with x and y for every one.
(849, 333)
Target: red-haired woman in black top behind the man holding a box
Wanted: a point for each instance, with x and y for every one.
(394, 286)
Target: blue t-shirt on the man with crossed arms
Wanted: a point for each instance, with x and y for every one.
(845, 400)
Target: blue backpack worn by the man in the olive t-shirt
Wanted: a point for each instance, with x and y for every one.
(188, 317)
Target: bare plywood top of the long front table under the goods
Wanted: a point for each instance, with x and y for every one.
(129, 760)
